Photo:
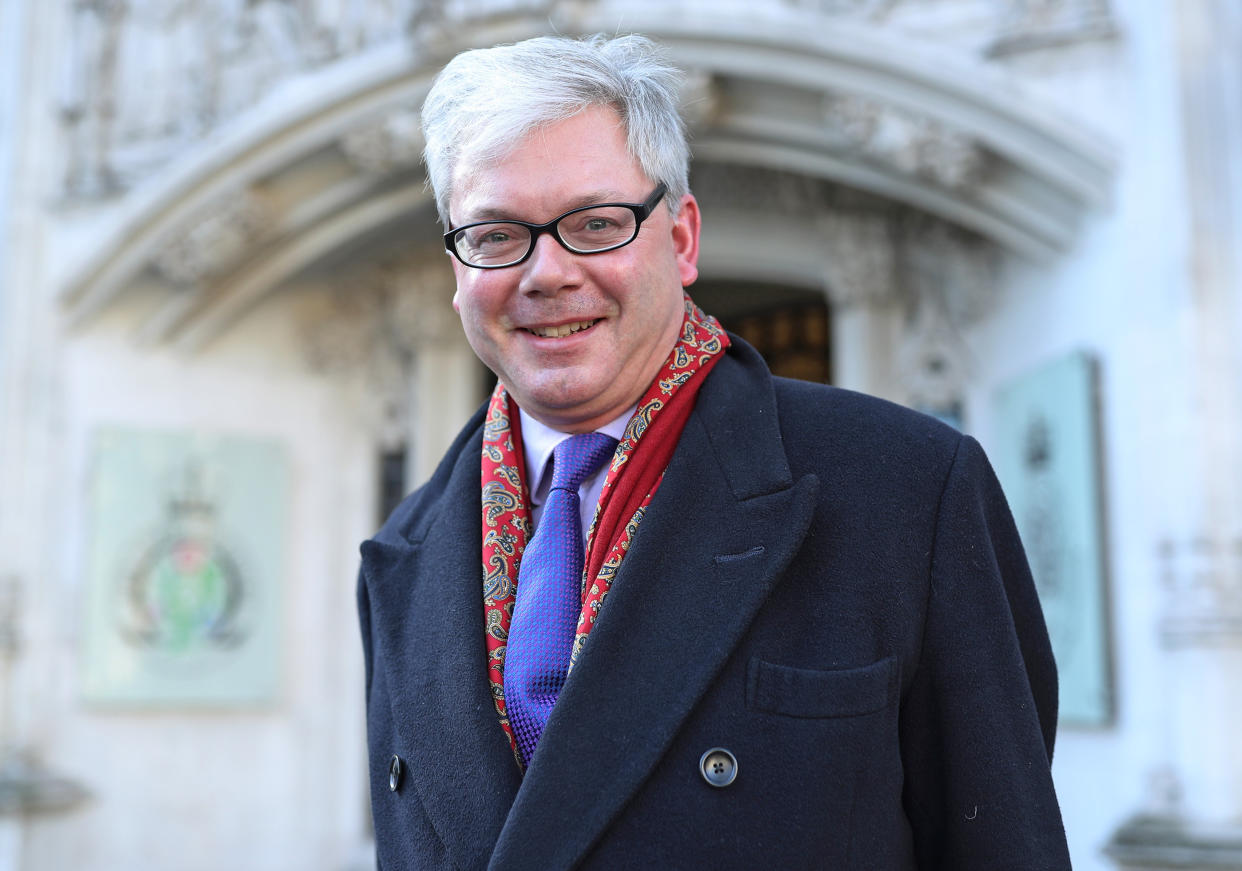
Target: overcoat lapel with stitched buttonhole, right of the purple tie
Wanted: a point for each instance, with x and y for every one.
(726, 524)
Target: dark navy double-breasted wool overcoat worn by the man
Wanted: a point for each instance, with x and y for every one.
(827, 586)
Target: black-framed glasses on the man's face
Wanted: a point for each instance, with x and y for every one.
(596, 229)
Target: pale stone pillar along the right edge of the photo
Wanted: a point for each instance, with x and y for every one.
(1194, 819)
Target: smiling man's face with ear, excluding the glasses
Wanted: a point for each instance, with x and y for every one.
(632, 298)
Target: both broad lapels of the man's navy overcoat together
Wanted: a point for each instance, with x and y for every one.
(731, 470)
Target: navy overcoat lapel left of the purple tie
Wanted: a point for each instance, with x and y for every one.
(428, 618)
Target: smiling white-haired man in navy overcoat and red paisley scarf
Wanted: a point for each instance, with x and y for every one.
(726, 621)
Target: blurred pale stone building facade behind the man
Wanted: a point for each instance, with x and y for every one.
(227, 349)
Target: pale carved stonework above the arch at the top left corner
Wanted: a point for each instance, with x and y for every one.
(143, 79)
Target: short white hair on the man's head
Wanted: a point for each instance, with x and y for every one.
(487, 100)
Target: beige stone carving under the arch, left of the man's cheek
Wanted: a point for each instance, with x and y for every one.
(371, 330)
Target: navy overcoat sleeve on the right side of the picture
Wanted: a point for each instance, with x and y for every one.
(981, 714)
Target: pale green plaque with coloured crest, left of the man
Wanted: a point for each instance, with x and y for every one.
(184, 570)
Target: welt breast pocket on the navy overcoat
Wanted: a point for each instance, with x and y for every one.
(815, 693)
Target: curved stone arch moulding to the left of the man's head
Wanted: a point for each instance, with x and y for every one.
(304, 156)
